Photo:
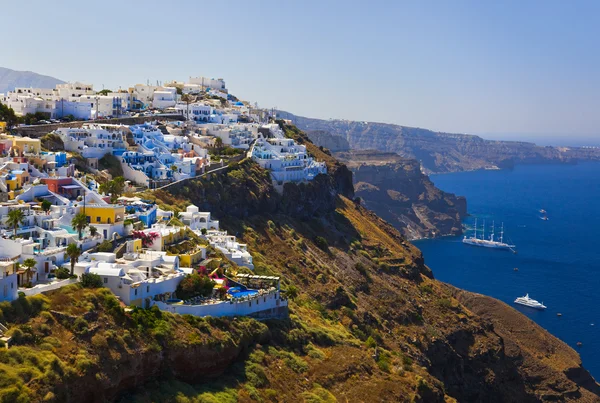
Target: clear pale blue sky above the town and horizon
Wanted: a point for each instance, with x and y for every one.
(508, 69)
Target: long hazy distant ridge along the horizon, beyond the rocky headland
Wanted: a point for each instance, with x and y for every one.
(442, 152)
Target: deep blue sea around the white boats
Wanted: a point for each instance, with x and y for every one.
(558, 259)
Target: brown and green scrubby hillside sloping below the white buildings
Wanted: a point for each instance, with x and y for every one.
(367, 320)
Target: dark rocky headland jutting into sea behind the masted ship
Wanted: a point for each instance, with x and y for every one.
(397, 190)
